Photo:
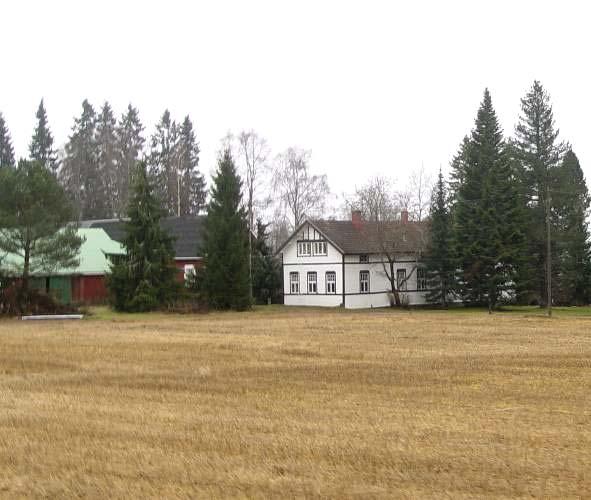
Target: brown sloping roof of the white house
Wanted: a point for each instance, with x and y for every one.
(374, 237)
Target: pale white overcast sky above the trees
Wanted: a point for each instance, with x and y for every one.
(369, 87)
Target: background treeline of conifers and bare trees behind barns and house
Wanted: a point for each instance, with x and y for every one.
(97, 163)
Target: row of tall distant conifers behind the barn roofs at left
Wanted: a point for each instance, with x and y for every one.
(99, 158)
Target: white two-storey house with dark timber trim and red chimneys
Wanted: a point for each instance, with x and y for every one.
(349, 263)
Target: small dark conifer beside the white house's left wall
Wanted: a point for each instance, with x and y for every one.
(266, 274)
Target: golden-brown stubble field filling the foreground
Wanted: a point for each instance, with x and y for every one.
(297, 403)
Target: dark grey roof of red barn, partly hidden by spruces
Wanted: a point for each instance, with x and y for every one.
(187, 231)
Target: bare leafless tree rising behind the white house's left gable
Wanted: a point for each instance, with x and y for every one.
(299, 192)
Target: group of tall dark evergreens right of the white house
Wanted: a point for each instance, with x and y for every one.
(511, 222)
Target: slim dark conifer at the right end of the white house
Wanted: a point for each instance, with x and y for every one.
(439, 259)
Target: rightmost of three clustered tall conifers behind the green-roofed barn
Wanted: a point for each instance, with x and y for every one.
(130, 144)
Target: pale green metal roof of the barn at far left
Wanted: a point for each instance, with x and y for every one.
(93, 259)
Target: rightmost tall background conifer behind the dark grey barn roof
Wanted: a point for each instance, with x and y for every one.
(190, 182)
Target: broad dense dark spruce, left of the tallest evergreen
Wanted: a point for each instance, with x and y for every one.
(488, 219)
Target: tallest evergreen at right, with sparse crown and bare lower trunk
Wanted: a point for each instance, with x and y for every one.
(538, 153)
